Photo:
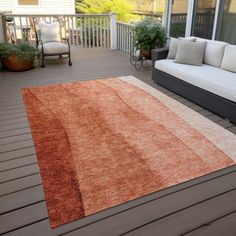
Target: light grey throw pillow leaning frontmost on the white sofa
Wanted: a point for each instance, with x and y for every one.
(190, 52)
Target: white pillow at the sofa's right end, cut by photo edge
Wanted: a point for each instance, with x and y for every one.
(229, 58)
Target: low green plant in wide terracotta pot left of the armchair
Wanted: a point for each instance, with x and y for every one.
(18, 57)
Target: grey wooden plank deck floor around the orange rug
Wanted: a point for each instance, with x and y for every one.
(204, 206)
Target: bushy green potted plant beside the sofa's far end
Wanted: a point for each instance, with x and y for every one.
(148, 34)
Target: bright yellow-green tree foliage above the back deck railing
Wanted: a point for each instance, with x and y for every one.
(121, 7)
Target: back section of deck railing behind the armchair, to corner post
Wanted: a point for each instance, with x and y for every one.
(84, 30)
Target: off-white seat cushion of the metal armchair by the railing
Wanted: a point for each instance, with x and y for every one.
(51, 48)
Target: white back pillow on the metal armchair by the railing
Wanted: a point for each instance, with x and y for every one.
(49, 32)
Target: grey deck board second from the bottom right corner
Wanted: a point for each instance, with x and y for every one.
(190, 218)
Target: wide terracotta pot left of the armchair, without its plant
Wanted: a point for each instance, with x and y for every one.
(14, 63)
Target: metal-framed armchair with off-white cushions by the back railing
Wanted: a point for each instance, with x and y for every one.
(49, 41)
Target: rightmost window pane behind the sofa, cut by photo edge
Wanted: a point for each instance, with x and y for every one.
(227, 27)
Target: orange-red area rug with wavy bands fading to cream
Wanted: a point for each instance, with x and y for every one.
(104, 142)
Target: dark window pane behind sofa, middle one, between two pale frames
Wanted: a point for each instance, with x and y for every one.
(203, 18)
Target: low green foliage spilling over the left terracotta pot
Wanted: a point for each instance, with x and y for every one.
(22, 50)
